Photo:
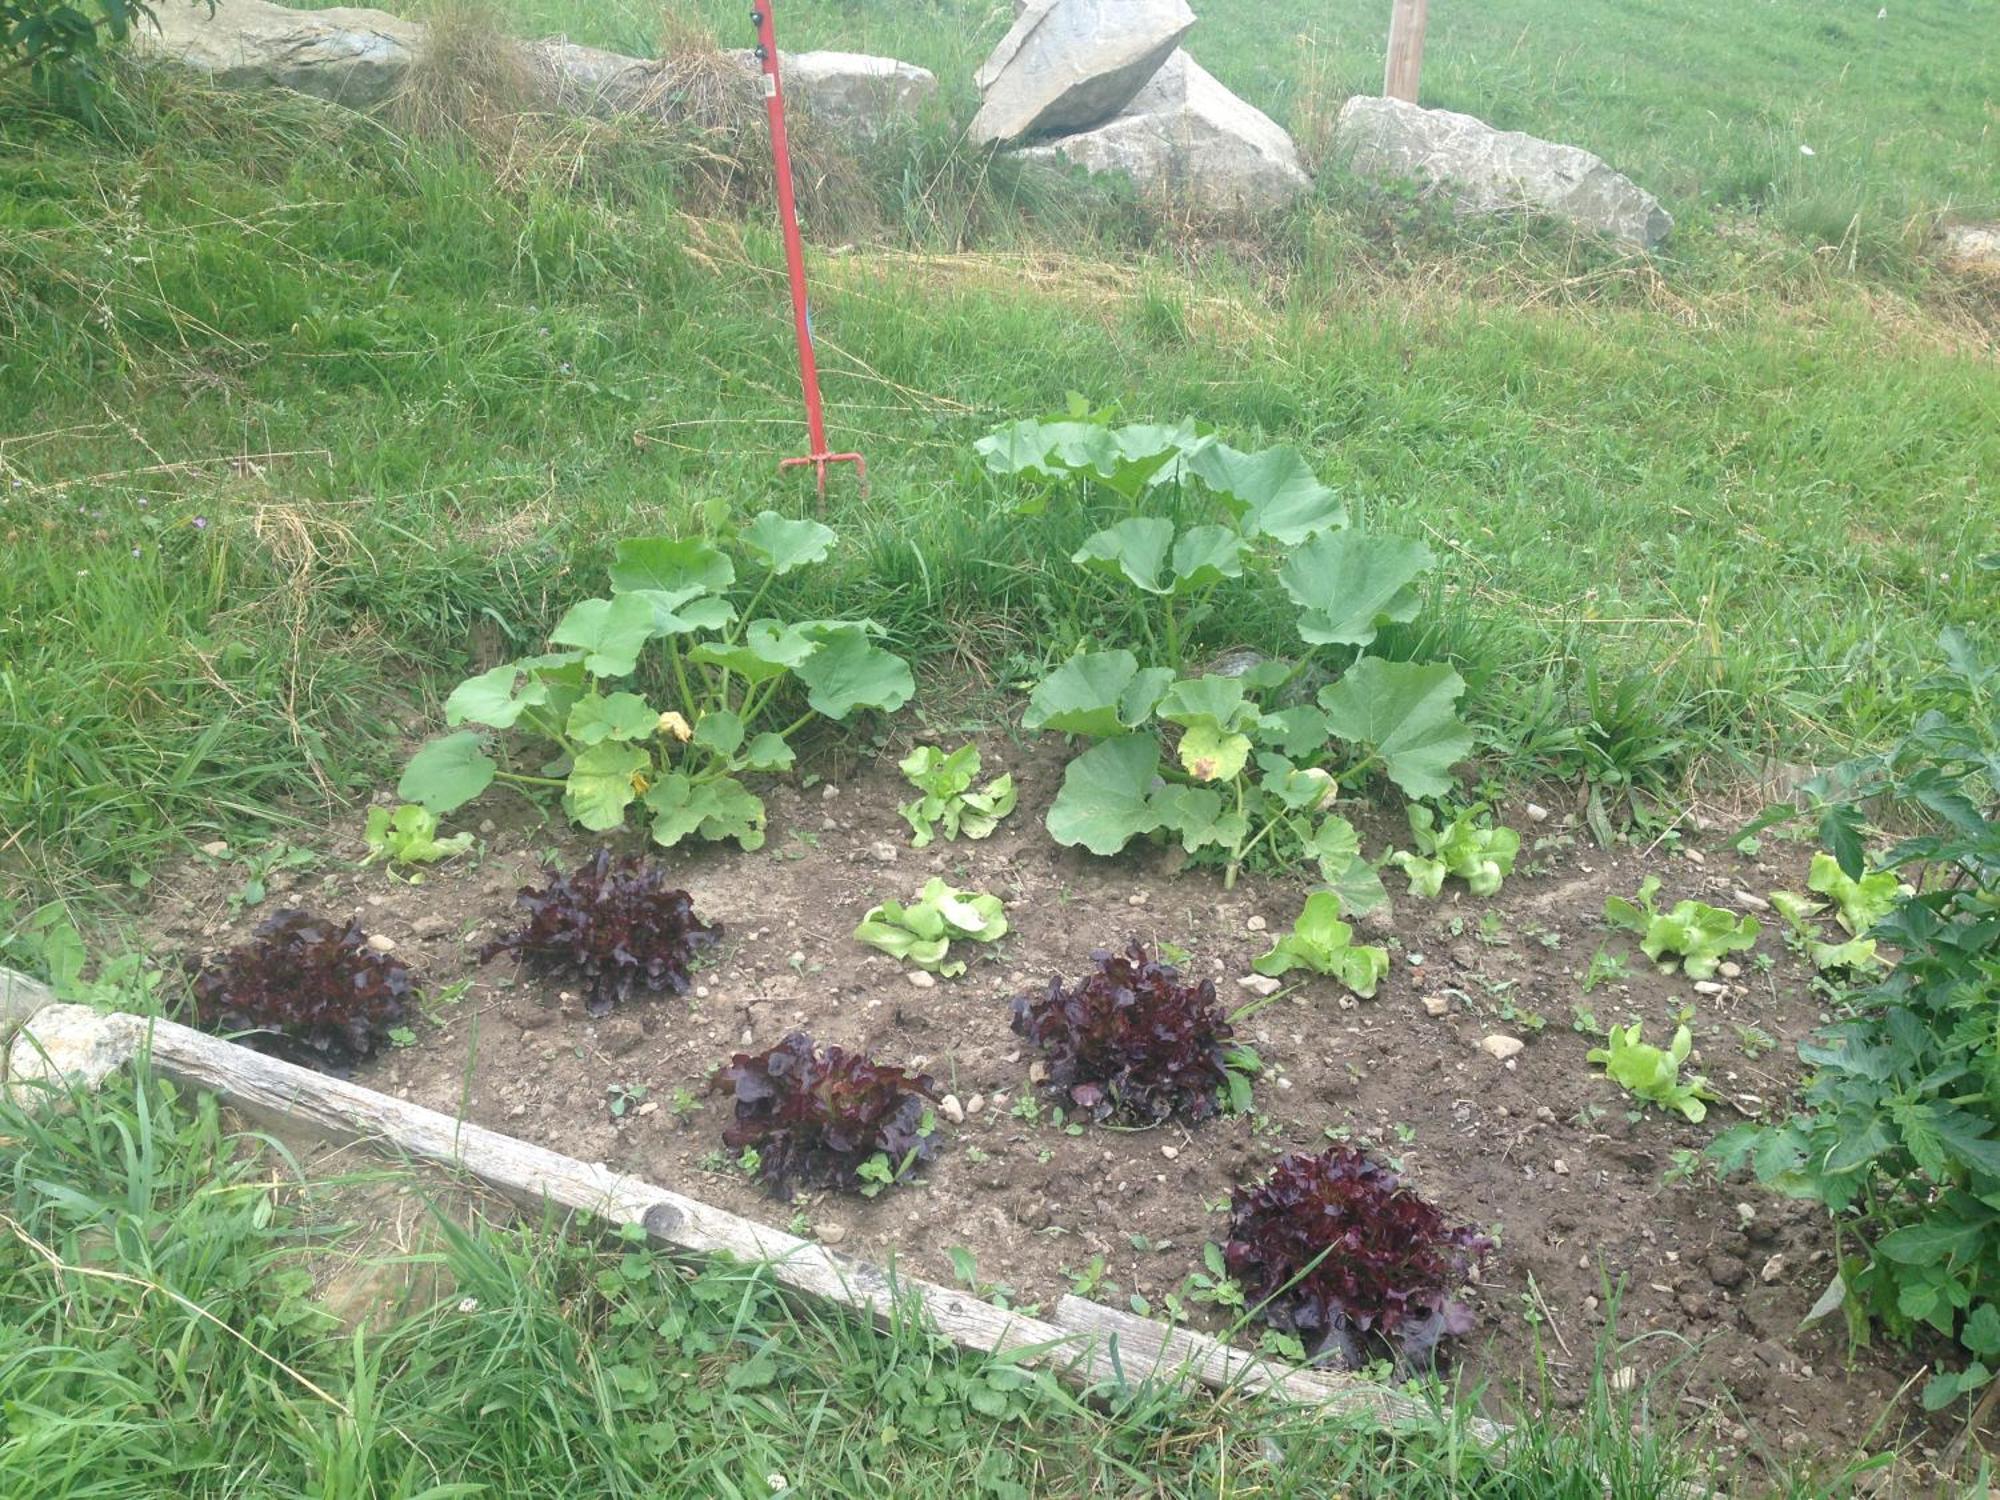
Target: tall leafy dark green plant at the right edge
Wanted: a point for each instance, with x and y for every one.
(1899, 1127)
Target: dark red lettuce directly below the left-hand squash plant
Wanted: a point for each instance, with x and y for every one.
(609, 931)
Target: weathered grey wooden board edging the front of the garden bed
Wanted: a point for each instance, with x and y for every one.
(1087, 1343)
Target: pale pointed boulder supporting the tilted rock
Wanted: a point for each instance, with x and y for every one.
(1191, 139)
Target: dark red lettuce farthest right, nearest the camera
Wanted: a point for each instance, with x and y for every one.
(1387, 1261)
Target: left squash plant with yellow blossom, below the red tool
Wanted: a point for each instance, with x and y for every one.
(727, 703)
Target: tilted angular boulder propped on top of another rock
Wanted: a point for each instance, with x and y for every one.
(1071, 65)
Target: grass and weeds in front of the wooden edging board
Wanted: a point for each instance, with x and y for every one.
(167, 1329)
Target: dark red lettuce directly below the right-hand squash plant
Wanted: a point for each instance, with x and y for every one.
(1133, 1041)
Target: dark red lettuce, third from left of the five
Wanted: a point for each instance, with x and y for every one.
(829, 1119)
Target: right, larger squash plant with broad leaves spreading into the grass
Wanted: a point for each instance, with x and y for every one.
(1235, 765)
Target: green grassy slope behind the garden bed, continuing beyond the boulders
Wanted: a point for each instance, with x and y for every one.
(305, 415)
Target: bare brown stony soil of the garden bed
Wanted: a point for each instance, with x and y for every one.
(1541, 1151)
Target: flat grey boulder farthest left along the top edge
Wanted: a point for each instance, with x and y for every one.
(351, 57)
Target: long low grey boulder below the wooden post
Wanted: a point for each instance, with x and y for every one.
(1487, 171)
